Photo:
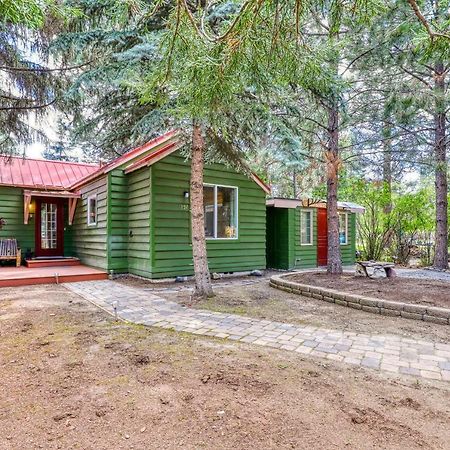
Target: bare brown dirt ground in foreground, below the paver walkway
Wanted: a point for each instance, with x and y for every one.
(73, 379)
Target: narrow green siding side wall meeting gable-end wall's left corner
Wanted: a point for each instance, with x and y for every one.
(139, 245)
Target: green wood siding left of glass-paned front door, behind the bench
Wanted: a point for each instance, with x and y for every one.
(11, 209)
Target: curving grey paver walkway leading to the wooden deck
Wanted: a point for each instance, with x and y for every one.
(389, 353)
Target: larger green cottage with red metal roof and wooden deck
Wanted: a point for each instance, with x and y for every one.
(132, 215)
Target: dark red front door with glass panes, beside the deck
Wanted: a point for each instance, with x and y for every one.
(49, 227)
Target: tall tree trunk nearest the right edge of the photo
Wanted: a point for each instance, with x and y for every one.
(441, 183)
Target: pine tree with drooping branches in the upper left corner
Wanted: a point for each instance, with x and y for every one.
(28, 89)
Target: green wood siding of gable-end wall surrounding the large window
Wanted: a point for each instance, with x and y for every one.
(170, 221)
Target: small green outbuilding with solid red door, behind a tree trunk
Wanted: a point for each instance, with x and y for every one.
(297, 233)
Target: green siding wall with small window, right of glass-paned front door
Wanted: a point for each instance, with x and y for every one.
(89, 243)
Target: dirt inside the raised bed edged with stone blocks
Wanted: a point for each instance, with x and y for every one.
(408, 290)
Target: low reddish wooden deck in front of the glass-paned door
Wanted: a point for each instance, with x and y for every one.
(23, 276)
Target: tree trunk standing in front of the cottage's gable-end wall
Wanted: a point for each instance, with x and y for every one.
(203, 287)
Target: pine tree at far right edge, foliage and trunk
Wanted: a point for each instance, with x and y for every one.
(419, 49)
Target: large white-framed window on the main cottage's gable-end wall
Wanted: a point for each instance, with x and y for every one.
(221, 210)
